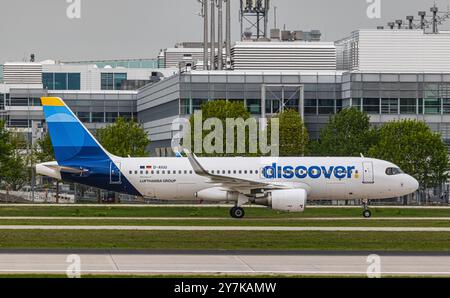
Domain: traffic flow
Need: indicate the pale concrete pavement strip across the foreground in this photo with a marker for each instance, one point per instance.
(228, 262)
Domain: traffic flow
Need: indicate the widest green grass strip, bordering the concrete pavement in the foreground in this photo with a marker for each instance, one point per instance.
(226, 240)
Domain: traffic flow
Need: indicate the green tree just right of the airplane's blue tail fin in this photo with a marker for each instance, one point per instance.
(124, 138)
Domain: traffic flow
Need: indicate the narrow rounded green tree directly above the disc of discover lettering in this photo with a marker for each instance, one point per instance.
(293, 138)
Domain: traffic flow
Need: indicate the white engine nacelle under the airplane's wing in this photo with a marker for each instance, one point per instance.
(291, 200)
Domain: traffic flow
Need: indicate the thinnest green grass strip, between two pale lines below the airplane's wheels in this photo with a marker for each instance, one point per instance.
(231, 222)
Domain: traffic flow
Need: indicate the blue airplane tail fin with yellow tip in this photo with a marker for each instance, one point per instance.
(72, 142)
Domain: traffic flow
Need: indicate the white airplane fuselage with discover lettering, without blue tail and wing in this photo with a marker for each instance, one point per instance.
(333, 178)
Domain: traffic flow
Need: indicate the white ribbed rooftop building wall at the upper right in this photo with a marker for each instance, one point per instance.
(396, 51)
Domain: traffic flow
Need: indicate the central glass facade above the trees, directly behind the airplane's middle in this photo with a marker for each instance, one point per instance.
(322, 95)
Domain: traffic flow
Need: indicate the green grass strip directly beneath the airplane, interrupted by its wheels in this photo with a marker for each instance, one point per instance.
(118, 211)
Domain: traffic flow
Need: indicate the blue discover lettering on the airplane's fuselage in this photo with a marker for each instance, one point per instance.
(314, 172)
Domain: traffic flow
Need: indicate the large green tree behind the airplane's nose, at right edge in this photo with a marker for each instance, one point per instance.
(411, 145)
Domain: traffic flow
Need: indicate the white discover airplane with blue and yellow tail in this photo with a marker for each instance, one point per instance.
(281, 183)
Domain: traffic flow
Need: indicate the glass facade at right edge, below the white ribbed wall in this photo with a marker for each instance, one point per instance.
(399, 94)
